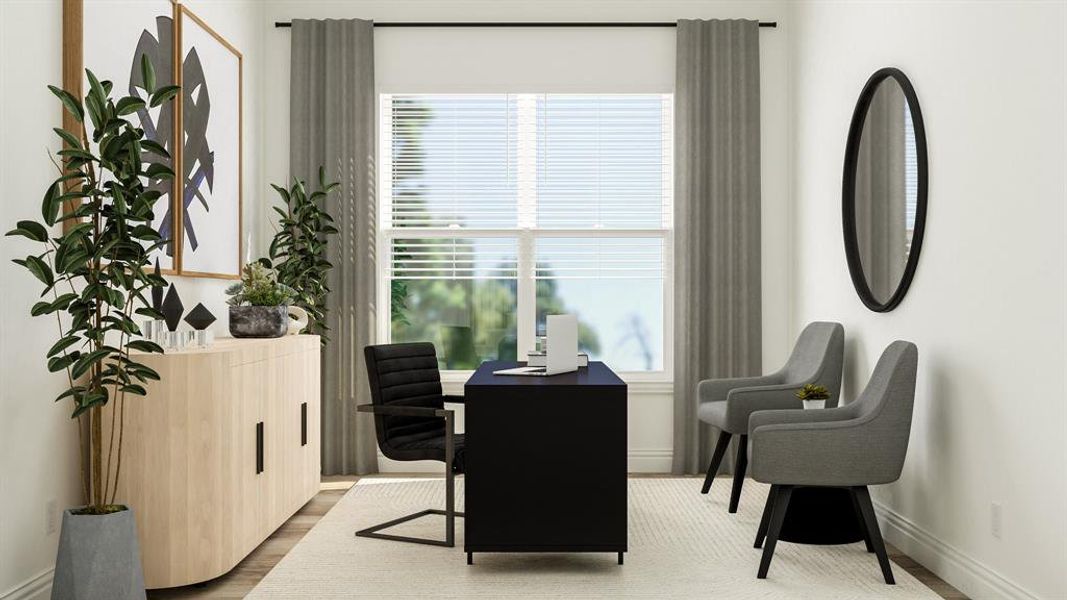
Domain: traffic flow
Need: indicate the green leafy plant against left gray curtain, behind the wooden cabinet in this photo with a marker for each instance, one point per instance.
(298, 252)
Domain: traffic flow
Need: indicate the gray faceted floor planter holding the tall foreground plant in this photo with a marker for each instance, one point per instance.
(99, 559)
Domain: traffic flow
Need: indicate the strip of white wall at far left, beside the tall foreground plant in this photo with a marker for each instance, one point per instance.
(38, 440)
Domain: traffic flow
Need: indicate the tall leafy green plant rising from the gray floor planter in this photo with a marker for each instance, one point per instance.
(95, 274)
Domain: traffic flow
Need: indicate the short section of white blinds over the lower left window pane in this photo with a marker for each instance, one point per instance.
(454, 259)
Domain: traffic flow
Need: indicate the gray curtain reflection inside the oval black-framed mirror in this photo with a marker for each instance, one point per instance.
(881, 229)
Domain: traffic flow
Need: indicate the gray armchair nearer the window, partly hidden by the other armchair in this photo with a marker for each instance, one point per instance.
(727, 404)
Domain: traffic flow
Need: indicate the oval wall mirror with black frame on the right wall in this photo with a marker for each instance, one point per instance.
(884, 197)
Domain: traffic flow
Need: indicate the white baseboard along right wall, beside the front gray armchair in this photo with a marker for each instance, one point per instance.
(964, 573)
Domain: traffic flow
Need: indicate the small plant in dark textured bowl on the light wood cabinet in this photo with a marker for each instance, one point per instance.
(260, 305)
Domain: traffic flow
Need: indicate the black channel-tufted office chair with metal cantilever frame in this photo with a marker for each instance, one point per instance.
(412, 424)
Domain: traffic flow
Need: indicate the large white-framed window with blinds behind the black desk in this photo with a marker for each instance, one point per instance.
(502, 209)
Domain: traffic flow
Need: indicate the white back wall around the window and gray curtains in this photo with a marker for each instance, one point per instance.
(561, 60)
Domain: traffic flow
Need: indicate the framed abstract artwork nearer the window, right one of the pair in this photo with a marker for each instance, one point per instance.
(210, 165)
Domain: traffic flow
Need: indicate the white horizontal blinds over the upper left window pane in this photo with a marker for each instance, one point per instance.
(454, 162)
